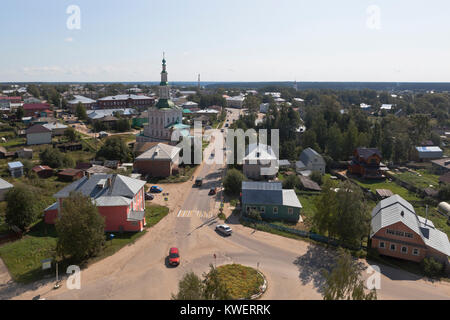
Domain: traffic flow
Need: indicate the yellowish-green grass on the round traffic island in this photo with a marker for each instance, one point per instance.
(241, 281)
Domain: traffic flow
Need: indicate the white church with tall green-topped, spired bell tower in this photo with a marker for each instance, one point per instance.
(165, 117)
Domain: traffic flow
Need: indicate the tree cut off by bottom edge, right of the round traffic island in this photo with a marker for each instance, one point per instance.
(344, 283)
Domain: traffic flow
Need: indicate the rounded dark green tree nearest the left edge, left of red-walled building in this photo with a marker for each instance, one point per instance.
(21, 207)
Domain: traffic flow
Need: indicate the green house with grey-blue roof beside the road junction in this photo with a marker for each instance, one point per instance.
(272, 202)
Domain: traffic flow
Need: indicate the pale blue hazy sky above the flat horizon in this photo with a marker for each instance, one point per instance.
(233, 40)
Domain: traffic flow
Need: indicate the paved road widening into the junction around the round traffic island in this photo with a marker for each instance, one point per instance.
(292, 267)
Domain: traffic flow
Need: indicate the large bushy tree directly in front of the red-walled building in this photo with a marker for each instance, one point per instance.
(80, 228)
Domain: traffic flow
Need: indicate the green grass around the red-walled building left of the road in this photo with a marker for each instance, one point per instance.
(23, 257)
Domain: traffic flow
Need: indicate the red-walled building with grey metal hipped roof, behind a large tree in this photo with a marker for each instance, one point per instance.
(119, 199)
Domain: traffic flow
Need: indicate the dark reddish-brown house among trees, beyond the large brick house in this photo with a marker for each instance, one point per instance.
(366, 163)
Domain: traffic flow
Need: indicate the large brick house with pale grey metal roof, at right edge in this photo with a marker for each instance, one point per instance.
(397, 231)
